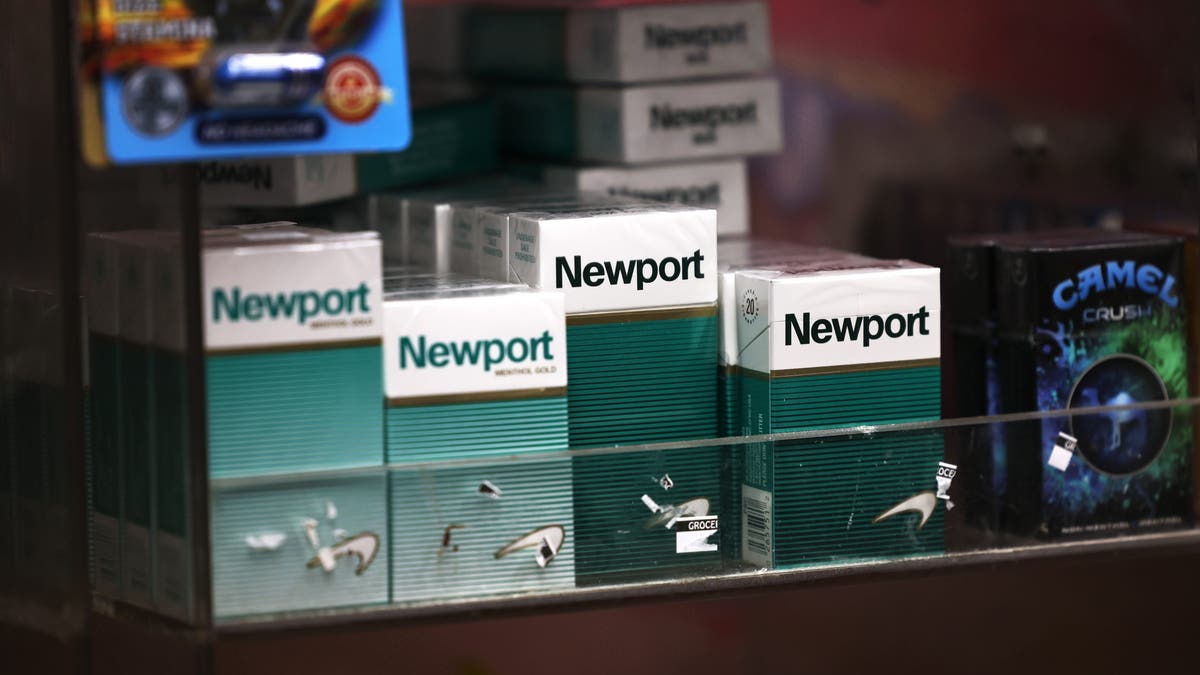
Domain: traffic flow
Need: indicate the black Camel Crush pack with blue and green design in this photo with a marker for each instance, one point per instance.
(1095, 320)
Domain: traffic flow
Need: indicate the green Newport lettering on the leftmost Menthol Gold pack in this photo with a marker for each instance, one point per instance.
(301, 306)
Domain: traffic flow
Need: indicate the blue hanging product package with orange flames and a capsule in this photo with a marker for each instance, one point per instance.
(170, 81)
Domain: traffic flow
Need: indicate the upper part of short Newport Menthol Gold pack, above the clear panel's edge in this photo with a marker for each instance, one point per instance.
(473, 368)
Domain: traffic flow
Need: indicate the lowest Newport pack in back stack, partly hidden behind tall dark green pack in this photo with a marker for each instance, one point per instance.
(719, 186)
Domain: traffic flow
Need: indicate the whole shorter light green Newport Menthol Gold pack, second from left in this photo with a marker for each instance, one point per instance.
(477, 369)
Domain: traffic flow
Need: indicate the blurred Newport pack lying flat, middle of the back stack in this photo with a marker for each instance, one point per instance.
(641, 124)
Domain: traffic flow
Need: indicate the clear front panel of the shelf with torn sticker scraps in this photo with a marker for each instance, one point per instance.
(637, 522)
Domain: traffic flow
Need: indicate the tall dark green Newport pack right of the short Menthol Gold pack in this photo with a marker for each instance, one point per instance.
(640, 288)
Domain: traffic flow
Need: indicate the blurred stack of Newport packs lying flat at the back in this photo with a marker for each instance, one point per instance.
(657, 101)
